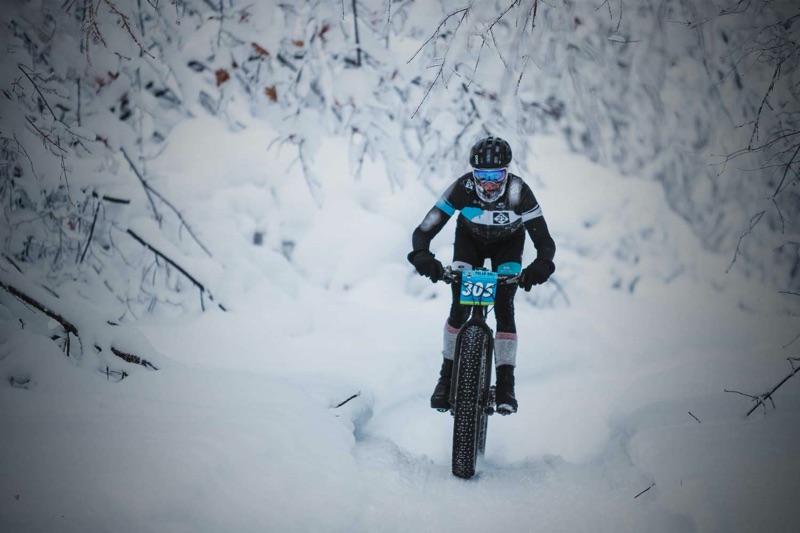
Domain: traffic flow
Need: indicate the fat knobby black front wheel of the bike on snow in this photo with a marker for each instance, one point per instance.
(470, 415)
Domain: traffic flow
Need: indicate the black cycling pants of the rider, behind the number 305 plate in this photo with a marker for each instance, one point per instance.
(470, 251)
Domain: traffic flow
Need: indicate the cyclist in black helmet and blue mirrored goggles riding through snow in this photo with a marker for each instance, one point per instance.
(496, 209)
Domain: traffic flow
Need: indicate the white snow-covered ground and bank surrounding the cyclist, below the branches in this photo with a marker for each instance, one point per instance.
(621, 377)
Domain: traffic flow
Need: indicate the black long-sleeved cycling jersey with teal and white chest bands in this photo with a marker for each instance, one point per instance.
(488, 223)
